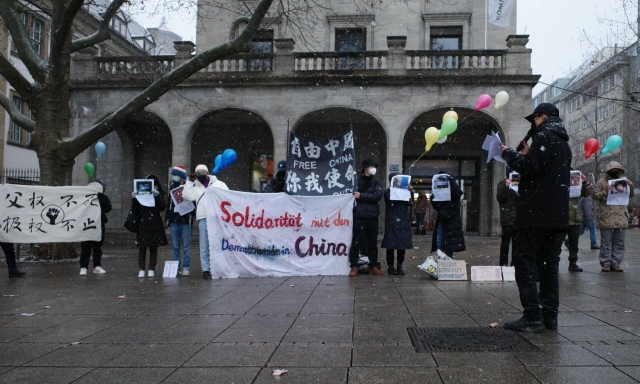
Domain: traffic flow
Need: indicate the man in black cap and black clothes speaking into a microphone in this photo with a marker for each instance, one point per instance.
(542, 211)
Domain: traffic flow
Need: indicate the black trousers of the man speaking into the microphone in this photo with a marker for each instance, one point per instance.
(534, 250)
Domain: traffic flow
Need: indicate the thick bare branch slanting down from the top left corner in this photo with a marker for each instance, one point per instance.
(35, 64)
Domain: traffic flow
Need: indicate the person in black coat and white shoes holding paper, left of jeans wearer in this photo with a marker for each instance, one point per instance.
(150, 229)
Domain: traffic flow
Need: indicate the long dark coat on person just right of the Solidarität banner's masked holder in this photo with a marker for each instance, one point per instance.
(397, 223)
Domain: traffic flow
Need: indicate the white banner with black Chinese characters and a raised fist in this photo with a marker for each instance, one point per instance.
(35, 214)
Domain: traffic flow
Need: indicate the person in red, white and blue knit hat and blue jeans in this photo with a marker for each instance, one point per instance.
(179, 224)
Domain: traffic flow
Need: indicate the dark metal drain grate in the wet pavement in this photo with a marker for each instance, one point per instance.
(468, 339)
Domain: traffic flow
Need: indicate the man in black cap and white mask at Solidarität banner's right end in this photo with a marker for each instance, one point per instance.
(365, 220)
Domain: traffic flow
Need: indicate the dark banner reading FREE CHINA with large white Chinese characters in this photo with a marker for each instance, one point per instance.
(321, 167)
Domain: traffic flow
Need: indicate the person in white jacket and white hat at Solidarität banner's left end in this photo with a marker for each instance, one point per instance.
(194, 191)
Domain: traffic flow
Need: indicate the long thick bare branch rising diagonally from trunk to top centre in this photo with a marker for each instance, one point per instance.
(71, 147)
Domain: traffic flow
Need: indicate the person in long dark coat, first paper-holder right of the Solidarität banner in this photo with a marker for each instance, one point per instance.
(397, 229)
